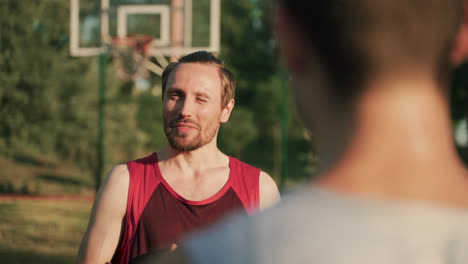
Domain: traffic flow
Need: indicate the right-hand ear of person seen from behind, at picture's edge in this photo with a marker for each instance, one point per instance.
(460, 51)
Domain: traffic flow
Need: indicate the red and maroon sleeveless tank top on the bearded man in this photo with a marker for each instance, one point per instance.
(157, 216)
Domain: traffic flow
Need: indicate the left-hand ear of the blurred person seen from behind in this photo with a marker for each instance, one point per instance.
(293, 47)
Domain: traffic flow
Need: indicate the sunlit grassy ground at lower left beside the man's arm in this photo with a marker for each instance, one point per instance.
(41, 230)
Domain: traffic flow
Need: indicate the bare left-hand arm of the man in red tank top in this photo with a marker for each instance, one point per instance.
(105, 224)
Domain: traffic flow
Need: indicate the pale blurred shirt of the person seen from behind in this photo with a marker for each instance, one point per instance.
(319, 226)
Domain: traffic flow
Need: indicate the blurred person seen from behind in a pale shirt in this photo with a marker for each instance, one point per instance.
(372, 83)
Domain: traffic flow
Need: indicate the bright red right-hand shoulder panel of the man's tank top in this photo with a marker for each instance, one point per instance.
(245, 182)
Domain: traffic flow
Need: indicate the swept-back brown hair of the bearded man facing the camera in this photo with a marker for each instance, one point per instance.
(228, 81)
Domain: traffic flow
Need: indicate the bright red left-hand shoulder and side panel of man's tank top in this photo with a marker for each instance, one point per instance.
(143, 182)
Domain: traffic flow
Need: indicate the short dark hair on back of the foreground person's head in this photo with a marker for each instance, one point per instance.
(355, 39)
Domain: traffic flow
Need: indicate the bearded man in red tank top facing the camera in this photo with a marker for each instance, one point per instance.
(148, 204)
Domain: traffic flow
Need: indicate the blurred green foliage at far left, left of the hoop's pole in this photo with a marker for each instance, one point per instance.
(42, 111)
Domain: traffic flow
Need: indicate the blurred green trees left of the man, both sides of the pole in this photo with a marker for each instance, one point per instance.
(48, 99)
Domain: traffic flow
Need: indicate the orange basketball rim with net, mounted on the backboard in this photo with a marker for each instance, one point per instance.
(131, 54)
